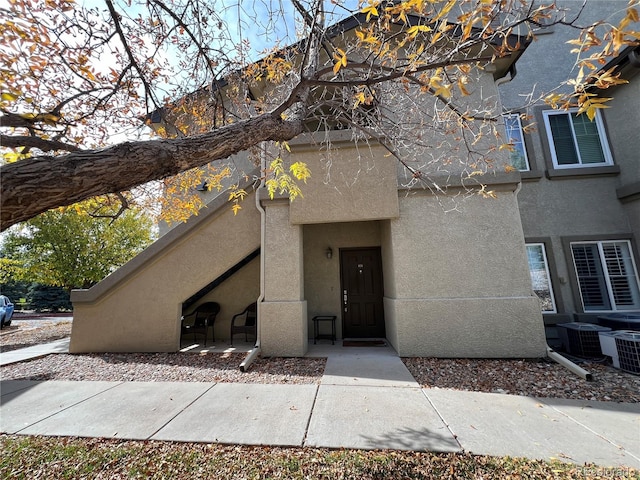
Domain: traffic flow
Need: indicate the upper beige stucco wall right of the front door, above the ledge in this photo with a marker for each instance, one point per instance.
(476, 251)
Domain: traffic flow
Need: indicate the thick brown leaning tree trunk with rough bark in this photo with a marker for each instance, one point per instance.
(38, 184)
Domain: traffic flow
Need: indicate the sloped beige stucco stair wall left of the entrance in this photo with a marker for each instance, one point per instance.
(138, 308)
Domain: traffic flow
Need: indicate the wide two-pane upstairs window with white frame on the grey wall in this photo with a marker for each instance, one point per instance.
(576, 141)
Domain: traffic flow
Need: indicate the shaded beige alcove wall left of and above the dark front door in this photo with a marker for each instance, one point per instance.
(322, 275)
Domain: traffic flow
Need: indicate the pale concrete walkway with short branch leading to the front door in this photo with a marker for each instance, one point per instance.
(366, 399)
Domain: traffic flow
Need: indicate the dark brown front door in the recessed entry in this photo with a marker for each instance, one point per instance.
(361, 279)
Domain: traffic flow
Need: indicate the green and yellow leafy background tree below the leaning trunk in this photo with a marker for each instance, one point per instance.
(69, 248)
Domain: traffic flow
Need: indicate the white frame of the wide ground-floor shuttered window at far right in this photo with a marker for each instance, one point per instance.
(574, 274)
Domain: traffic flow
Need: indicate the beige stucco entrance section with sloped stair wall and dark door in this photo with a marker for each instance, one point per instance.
(432, 282)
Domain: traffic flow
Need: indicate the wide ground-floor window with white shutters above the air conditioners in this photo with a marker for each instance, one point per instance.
(607, 275)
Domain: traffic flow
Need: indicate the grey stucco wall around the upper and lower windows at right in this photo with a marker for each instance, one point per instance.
(584, 206)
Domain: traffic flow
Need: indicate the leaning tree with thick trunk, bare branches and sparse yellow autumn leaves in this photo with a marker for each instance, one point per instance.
(218, 77)
